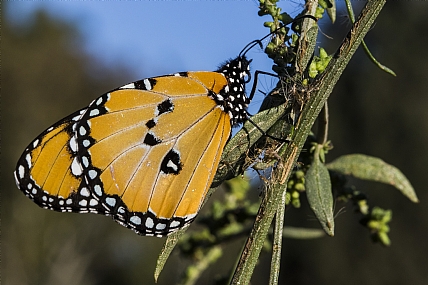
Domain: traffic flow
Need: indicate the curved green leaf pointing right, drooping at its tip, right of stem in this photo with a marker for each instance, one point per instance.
(374, 169)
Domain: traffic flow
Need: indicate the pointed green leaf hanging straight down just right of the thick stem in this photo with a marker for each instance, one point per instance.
(319, 193)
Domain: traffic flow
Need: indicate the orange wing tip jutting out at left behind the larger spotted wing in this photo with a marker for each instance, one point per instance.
(48, 170)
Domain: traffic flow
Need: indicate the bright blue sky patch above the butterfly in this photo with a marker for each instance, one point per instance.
(162, 37)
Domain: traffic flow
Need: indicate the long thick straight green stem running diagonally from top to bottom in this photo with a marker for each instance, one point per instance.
(324, 86)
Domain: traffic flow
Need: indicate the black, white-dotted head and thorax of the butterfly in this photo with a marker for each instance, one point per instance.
(232, 99)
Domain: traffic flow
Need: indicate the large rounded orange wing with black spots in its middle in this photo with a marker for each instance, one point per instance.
(150, 149)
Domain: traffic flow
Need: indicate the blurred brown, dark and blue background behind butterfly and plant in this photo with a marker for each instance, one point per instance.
(58, 56)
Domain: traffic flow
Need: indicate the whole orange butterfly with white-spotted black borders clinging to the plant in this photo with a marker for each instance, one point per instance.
(144, 153)
